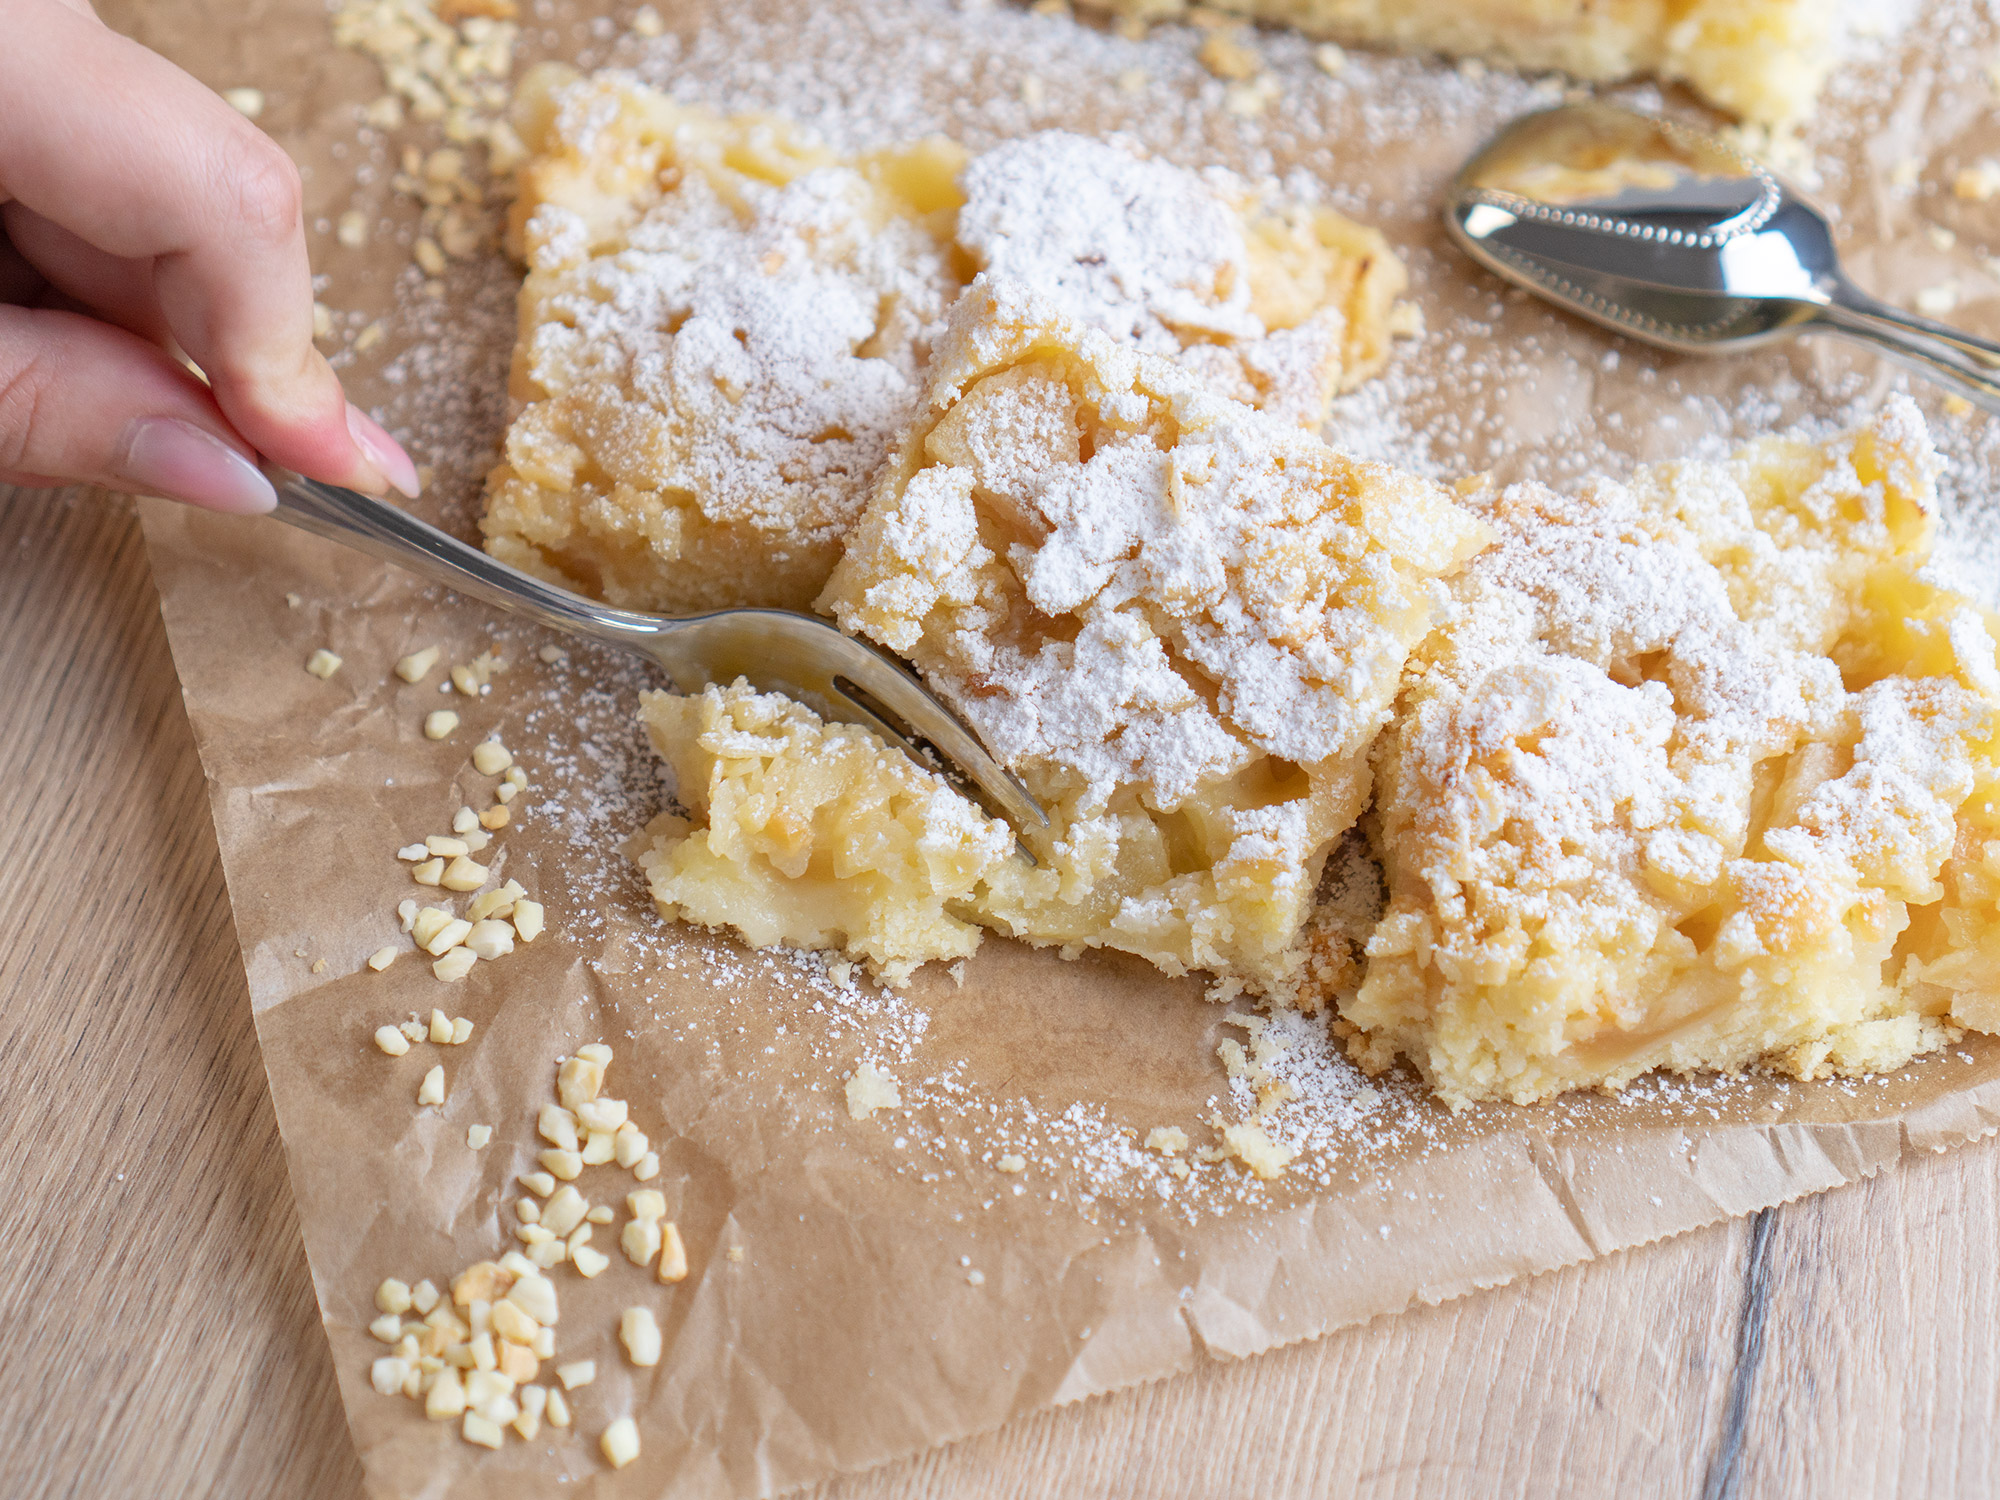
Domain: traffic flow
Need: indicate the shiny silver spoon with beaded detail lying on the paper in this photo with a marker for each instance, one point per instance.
(1677, 239)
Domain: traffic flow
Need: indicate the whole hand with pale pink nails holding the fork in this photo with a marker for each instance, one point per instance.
(143, 217)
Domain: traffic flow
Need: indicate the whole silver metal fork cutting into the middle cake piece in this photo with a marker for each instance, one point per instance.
(779, 651)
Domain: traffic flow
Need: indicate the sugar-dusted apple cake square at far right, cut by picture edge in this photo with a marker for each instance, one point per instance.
(1701, 773)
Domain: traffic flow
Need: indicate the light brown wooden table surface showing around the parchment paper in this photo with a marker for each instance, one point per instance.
(161, 1335)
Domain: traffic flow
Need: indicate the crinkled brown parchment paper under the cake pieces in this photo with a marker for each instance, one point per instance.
(831, 1319)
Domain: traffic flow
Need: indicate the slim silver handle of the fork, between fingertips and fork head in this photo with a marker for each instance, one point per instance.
(397, 537)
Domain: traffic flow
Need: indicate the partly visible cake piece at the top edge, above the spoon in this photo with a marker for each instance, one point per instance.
(1759, 59)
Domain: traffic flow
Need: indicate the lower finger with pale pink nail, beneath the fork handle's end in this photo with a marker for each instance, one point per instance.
(85, 401)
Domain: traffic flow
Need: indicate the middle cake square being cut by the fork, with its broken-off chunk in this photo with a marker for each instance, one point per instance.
(1179, 619)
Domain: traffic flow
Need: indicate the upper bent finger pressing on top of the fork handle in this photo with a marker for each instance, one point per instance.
(129, 155)
